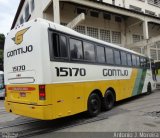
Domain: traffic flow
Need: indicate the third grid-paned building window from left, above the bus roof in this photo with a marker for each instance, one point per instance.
(105, 35)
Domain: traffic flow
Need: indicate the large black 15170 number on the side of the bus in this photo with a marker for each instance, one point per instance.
(64, 71)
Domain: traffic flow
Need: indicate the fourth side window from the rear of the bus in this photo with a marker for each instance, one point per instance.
(100, 54)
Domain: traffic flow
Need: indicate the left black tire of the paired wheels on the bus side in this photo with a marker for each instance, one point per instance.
(94, 105)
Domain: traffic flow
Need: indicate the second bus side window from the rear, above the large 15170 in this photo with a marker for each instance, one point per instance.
(76, 49)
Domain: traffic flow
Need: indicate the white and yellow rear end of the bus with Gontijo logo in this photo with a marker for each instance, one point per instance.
(23, 70)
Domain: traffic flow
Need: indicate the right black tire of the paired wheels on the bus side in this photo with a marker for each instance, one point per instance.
(108, 100)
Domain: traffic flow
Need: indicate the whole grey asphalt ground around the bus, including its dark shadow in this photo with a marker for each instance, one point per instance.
(138, 114)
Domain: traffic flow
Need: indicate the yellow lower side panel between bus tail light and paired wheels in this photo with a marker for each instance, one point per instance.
(67, 99)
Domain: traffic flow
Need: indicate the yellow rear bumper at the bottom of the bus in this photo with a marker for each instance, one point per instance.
(33, 111)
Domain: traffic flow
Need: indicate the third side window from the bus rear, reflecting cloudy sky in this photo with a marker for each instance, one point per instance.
(89, 51)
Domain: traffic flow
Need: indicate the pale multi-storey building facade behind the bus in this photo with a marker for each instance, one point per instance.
(134, 24)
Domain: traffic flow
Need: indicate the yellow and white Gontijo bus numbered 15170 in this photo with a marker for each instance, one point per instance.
(52, 71)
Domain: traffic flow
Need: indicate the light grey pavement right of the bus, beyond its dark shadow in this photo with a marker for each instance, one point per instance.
(139, 114)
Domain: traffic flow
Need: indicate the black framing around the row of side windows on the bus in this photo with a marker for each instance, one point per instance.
(60, 59)
